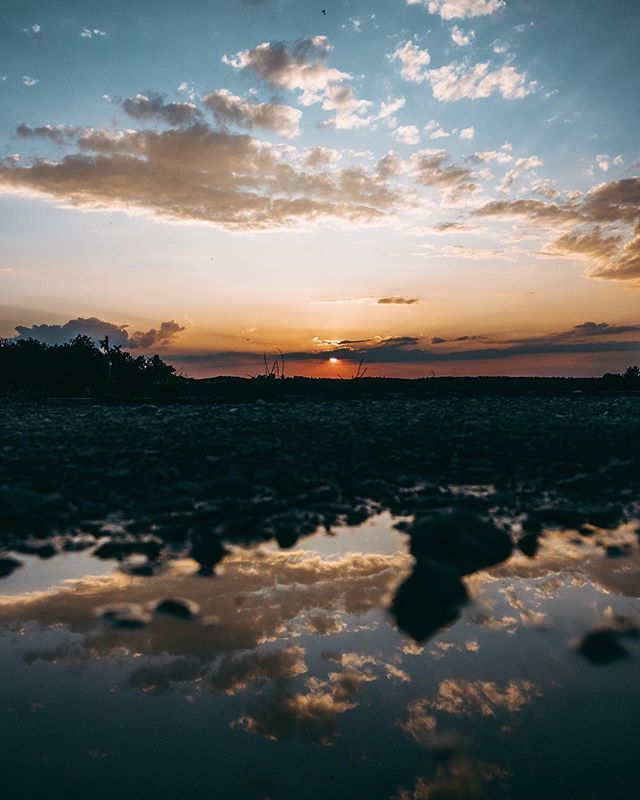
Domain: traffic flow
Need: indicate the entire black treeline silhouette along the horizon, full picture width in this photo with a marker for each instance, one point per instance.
(30, 369)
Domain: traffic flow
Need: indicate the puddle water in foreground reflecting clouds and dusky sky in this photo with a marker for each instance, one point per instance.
(293, 679)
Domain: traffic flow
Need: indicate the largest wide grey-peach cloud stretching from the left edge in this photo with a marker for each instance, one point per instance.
(200, 174)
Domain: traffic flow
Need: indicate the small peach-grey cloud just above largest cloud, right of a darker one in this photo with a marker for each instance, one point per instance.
(228, 109)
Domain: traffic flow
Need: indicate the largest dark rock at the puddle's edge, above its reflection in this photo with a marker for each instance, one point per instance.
(459, 539)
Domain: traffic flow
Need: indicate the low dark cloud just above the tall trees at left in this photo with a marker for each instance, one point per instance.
(97, 329)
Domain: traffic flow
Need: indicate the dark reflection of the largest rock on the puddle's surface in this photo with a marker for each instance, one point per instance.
(428, 600)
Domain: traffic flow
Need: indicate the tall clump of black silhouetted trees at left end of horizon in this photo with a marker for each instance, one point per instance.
(80, 368)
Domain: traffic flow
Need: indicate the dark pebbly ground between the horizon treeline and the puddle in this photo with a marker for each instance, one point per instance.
(175, 476)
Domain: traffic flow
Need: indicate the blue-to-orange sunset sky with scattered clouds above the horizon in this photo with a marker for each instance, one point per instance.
(444, 187)
